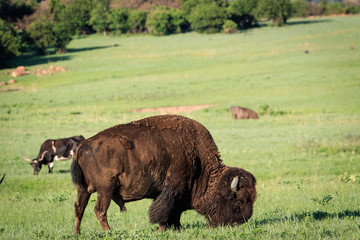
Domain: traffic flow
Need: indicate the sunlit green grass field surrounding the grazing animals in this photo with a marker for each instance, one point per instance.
(304, 150)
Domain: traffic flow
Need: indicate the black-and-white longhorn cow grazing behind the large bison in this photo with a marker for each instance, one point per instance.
(50, 150)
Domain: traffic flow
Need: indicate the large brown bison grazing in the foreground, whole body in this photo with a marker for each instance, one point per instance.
(171, 159)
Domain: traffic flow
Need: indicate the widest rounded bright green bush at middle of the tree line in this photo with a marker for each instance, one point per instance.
(207, 17)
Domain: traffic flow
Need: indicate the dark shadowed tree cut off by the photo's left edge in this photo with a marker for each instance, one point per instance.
(10, 43)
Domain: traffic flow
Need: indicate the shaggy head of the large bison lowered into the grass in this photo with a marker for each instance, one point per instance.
(234, 198)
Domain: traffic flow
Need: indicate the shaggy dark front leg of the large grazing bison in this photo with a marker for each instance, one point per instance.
(164, 212)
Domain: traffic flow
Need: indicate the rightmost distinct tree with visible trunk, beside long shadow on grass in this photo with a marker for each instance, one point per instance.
(278, 11)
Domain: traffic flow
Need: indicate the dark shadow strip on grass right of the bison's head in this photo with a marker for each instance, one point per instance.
(316, 215)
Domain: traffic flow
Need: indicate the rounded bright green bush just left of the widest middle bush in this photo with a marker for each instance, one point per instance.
(160, 22)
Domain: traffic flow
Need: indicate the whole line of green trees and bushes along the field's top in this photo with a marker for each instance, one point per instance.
(41, 25)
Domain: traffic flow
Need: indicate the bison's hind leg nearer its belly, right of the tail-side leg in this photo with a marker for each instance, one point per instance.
(101, 207)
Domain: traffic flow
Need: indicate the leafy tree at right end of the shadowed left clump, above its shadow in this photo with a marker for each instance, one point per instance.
(42, 34)
